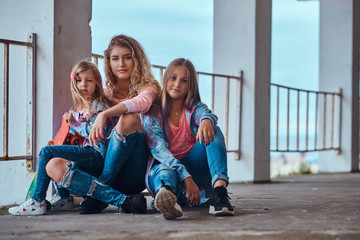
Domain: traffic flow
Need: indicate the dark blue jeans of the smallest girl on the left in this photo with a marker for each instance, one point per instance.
(86, 158)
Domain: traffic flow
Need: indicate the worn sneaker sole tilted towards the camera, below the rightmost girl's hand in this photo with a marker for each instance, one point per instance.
(166, 203)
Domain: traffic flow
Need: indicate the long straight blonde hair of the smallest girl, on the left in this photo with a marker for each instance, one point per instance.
(78, 101)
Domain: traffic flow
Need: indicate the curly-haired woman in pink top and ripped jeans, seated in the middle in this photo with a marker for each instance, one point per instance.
(131, 85)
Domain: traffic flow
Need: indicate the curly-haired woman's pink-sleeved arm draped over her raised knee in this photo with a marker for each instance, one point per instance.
(138, 104)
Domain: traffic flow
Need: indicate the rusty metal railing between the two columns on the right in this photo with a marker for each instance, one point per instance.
(325, 120)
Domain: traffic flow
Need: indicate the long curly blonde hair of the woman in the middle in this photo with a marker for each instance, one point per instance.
(141, 76)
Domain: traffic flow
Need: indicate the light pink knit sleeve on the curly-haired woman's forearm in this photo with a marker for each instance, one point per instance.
(142, 102)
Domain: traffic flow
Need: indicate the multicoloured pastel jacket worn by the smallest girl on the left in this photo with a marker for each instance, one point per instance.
(84, 121)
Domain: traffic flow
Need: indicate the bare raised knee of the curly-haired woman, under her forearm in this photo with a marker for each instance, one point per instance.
(128, 123)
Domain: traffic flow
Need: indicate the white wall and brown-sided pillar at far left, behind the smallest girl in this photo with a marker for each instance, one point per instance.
(57, 25)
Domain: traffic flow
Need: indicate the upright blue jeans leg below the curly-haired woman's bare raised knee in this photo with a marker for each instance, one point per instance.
(126, 162)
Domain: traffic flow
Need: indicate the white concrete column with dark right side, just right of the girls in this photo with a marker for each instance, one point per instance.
(242, 41)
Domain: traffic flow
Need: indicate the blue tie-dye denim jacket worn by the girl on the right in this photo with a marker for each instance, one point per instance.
(194, 113)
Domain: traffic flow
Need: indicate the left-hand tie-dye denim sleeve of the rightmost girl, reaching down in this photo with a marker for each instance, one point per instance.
(159, 147)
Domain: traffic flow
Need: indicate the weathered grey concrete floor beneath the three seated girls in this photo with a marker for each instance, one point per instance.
(297, 207)
